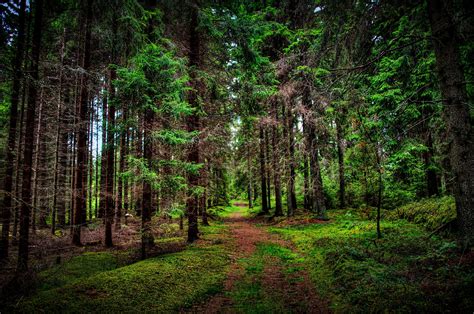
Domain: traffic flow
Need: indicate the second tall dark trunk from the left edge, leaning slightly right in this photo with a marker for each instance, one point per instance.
(29, 137)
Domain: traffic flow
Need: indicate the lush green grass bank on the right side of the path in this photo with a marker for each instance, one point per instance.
(404, 271)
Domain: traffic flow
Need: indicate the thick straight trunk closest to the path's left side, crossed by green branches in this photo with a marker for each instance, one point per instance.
(193, 123)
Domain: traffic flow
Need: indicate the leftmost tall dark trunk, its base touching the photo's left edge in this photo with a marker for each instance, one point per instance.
(10, 157)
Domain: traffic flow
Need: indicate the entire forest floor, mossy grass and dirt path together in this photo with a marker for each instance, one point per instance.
(244, 263)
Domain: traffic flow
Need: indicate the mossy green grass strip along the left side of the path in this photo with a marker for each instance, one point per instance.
(95, 282)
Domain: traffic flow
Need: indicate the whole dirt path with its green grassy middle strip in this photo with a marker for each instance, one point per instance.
(266, 275)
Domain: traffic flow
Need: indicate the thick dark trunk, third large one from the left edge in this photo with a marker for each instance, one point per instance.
(80, 189)
